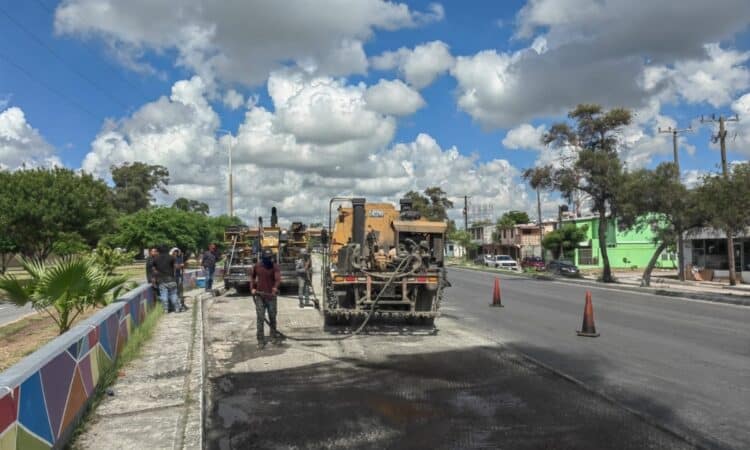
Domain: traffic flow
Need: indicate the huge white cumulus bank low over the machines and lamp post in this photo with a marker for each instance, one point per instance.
(278, 162)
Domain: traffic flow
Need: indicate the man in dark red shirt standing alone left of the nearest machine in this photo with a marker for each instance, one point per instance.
(265, 279)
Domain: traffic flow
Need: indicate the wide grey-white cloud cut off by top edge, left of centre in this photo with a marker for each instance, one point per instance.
(239, 42)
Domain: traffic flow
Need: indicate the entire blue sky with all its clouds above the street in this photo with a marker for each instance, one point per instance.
(366, 98)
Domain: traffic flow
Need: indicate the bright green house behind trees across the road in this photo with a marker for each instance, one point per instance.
(626, 249)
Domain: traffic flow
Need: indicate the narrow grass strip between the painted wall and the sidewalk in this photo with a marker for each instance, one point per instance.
(132, 350)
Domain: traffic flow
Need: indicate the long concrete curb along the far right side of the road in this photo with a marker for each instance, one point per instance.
(731, 299)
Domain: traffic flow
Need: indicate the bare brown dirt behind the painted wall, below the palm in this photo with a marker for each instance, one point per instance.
(26, 335)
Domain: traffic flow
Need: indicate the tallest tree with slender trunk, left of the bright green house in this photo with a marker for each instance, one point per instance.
(597, 170)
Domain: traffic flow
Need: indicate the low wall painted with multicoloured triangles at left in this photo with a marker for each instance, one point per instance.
(43, 397)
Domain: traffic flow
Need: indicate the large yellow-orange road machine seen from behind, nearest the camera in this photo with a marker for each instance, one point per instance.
(382, 262)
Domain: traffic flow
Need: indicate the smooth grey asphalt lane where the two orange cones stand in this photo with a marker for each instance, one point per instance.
(684, 363)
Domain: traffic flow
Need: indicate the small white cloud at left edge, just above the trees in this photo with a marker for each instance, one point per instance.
(21, 145)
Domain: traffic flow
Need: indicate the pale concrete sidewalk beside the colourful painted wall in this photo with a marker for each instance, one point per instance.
(157, 397)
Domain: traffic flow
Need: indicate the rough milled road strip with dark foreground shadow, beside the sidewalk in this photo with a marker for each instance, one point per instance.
(396, 386)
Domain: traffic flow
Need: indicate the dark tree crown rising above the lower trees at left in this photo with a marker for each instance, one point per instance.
(135, 183)
